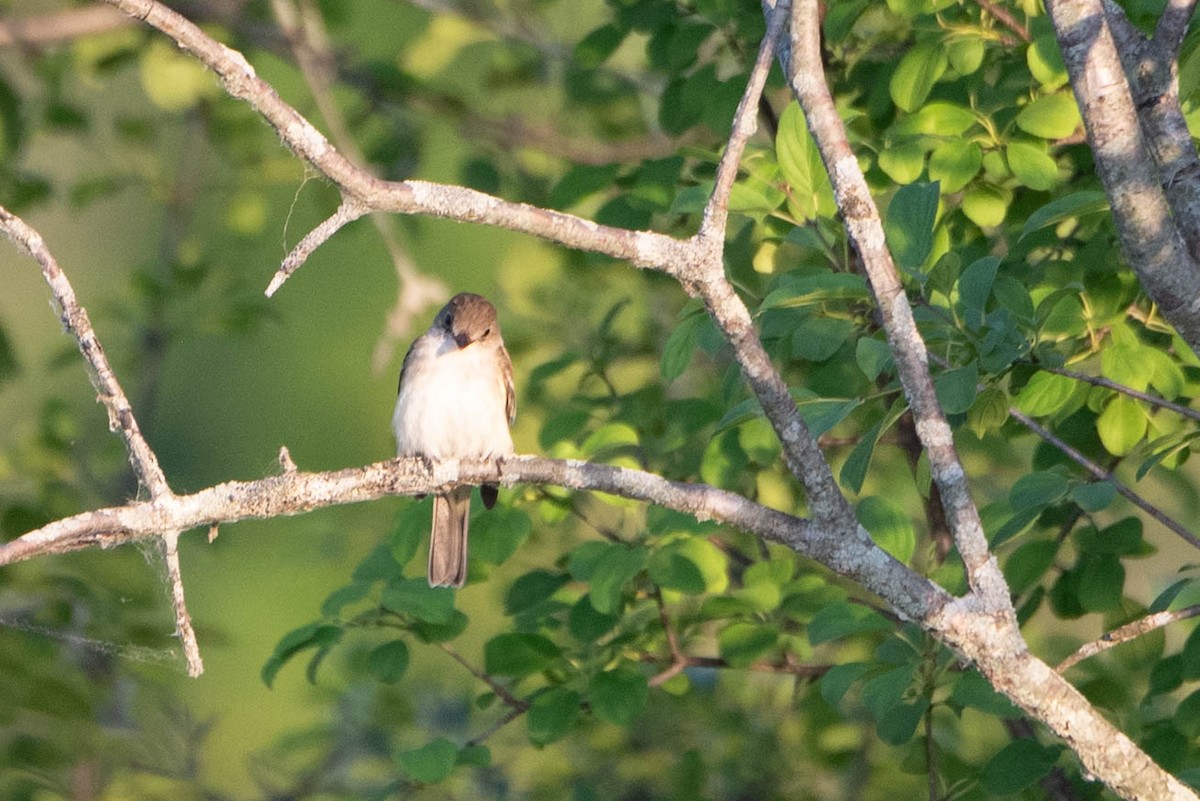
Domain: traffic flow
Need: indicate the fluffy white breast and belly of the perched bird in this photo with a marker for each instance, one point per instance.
(452, 402)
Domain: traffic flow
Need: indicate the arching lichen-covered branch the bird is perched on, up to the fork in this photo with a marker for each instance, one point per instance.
(295, 493)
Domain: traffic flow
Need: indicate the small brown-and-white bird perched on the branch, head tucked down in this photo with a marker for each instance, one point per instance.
(457, 400)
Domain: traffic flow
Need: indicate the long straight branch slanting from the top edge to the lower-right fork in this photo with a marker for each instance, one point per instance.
(866, 230)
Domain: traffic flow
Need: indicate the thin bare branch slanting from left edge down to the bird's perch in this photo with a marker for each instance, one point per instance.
(76, 322)
